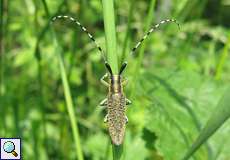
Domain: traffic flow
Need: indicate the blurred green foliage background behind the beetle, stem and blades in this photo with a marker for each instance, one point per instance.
(174, 87)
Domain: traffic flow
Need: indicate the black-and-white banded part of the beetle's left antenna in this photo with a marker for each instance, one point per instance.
(82, 28)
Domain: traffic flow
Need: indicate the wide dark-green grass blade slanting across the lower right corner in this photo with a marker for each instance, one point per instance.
(217, 119)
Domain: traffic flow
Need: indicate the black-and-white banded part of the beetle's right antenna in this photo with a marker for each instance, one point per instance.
(153, 29)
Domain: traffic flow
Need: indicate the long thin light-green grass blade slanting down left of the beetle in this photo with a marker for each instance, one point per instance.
(68, 98)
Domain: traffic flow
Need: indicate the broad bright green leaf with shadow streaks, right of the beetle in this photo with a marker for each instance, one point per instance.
(180, 104)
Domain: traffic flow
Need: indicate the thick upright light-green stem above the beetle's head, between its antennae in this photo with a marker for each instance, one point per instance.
(110, 34)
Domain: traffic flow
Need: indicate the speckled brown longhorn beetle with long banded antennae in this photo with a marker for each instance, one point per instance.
(116, 101)
